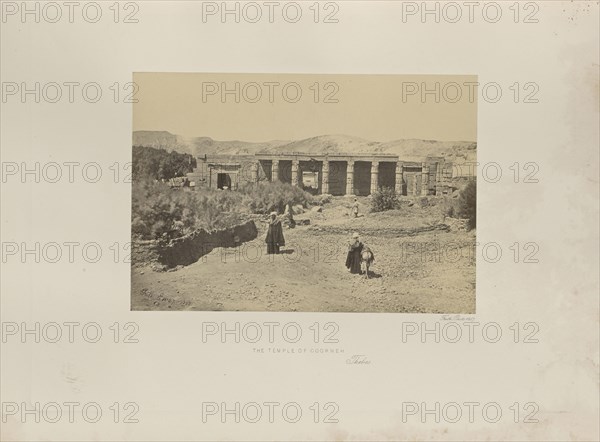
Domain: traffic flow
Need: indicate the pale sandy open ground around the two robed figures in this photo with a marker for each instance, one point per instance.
(430, 272)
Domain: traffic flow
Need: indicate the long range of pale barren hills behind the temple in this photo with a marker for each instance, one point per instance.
(408, 150)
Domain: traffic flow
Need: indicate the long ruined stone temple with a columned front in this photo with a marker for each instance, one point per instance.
(335, 174)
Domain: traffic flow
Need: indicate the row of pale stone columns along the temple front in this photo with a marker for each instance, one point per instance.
(350, 176)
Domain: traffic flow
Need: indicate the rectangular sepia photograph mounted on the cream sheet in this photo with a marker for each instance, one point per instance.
(304, 193)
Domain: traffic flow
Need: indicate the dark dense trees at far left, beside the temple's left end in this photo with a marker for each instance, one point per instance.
(158, 164)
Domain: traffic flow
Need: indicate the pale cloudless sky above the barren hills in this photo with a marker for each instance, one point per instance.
(369, 106)
